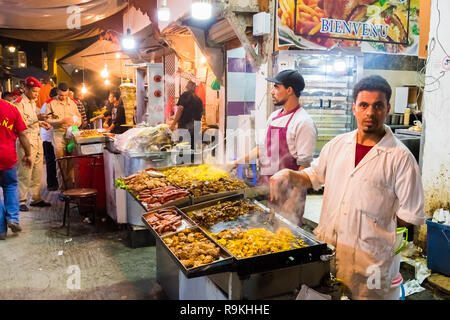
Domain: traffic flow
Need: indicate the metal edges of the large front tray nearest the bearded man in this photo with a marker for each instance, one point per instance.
(269, 261)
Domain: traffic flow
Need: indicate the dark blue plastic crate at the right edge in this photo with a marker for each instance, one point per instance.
(438, 247)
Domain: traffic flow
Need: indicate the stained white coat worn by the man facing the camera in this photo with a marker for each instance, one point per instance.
(361, 205)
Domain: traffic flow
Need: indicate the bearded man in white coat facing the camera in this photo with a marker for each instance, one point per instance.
(372, 186)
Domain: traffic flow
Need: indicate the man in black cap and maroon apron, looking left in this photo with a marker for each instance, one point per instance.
(290, 141)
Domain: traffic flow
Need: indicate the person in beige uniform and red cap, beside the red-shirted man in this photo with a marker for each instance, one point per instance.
(30, 178)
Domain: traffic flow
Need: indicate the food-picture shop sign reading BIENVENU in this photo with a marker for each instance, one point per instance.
(389, 26)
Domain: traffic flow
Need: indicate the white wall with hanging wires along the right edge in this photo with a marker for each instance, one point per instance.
(436, 156)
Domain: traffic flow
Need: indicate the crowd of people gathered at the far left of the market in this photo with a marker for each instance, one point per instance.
(34, 121)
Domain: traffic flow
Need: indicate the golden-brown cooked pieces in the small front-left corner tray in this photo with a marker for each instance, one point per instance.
(192, 248)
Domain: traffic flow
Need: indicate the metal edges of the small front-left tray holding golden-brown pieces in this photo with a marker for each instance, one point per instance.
(224, 263)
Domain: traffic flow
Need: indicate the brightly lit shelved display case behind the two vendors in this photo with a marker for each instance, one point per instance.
(329, 80)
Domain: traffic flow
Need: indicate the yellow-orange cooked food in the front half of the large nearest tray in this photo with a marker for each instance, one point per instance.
(257, 241)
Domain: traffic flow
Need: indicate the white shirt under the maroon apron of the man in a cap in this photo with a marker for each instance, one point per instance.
(301, 134)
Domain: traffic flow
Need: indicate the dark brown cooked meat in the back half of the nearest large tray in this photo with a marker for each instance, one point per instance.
(224, 211)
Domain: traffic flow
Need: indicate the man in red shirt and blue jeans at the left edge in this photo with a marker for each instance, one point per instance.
(12, 127)
